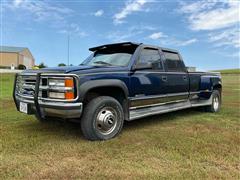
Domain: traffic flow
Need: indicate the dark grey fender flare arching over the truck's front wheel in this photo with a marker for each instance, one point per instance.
(85, 87)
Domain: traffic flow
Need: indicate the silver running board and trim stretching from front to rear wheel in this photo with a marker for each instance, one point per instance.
(149, 111)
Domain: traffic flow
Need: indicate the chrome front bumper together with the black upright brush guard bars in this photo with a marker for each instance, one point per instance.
(43, 108)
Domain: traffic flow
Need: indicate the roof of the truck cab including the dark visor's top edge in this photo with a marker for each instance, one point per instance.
(127, 44)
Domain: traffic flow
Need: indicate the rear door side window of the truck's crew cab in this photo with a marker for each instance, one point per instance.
(173, 62)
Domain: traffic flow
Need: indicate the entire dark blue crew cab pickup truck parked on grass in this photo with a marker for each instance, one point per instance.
(116, 83)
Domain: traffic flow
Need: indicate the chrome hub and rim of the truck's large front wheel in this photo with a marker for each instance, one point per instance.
(106, 120)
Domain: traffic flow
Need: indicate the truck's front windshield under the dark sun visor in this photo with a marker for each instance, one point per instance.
(110, 57)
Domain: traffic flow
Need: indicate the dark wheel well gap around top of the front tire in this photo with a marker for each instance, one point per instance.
(114, 92)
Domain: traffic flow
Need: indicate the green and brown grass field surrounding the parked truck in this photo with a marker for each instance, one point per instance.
(188, 144)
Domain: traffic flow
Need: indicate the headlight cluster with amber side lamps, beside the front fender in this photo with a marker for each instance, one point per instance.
(61, 88)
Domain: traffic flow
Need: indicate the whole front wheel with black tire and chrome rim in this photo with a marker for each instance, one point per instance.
(102, 118)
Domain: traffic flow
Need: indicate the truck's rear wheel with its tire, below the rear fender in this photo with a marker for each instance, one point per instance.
(216, 102)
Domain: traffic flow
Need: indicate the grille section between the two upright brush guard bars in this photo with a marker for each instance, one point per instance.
(25, 85)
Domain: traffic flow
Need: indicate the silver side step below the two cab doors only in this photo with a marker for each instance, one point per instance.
(143, 112)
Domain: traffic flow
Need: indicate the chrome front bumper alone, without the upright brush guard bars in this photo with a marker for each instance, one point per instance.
(53, 109)
